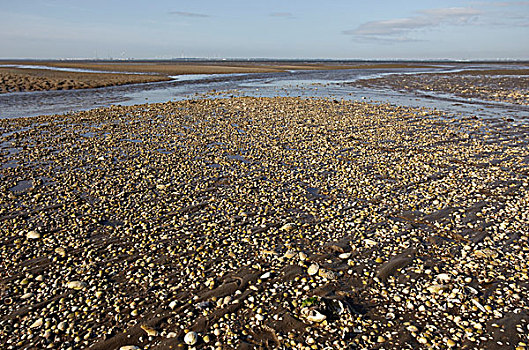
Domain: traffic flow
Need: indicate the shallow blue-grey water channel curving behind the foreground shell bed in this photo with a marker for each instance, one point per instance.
(324, 84)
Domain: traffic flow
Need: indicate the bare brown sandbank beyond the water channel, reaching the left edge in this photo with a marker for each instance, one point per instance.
(18, 79)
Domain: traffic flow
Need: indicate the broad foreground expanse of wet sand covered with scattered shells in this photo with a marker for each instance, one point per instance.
(249, 223)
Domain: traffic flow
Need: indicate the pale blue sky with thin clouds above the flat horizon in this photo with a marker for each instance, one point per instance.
(311, 29)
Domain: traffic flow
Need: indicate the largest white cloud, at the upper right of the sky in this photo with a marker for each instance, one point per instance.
(402, 27)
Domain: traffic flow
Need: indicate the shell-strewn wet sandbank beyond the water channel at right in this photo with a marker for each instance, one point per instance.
(509, 85)
